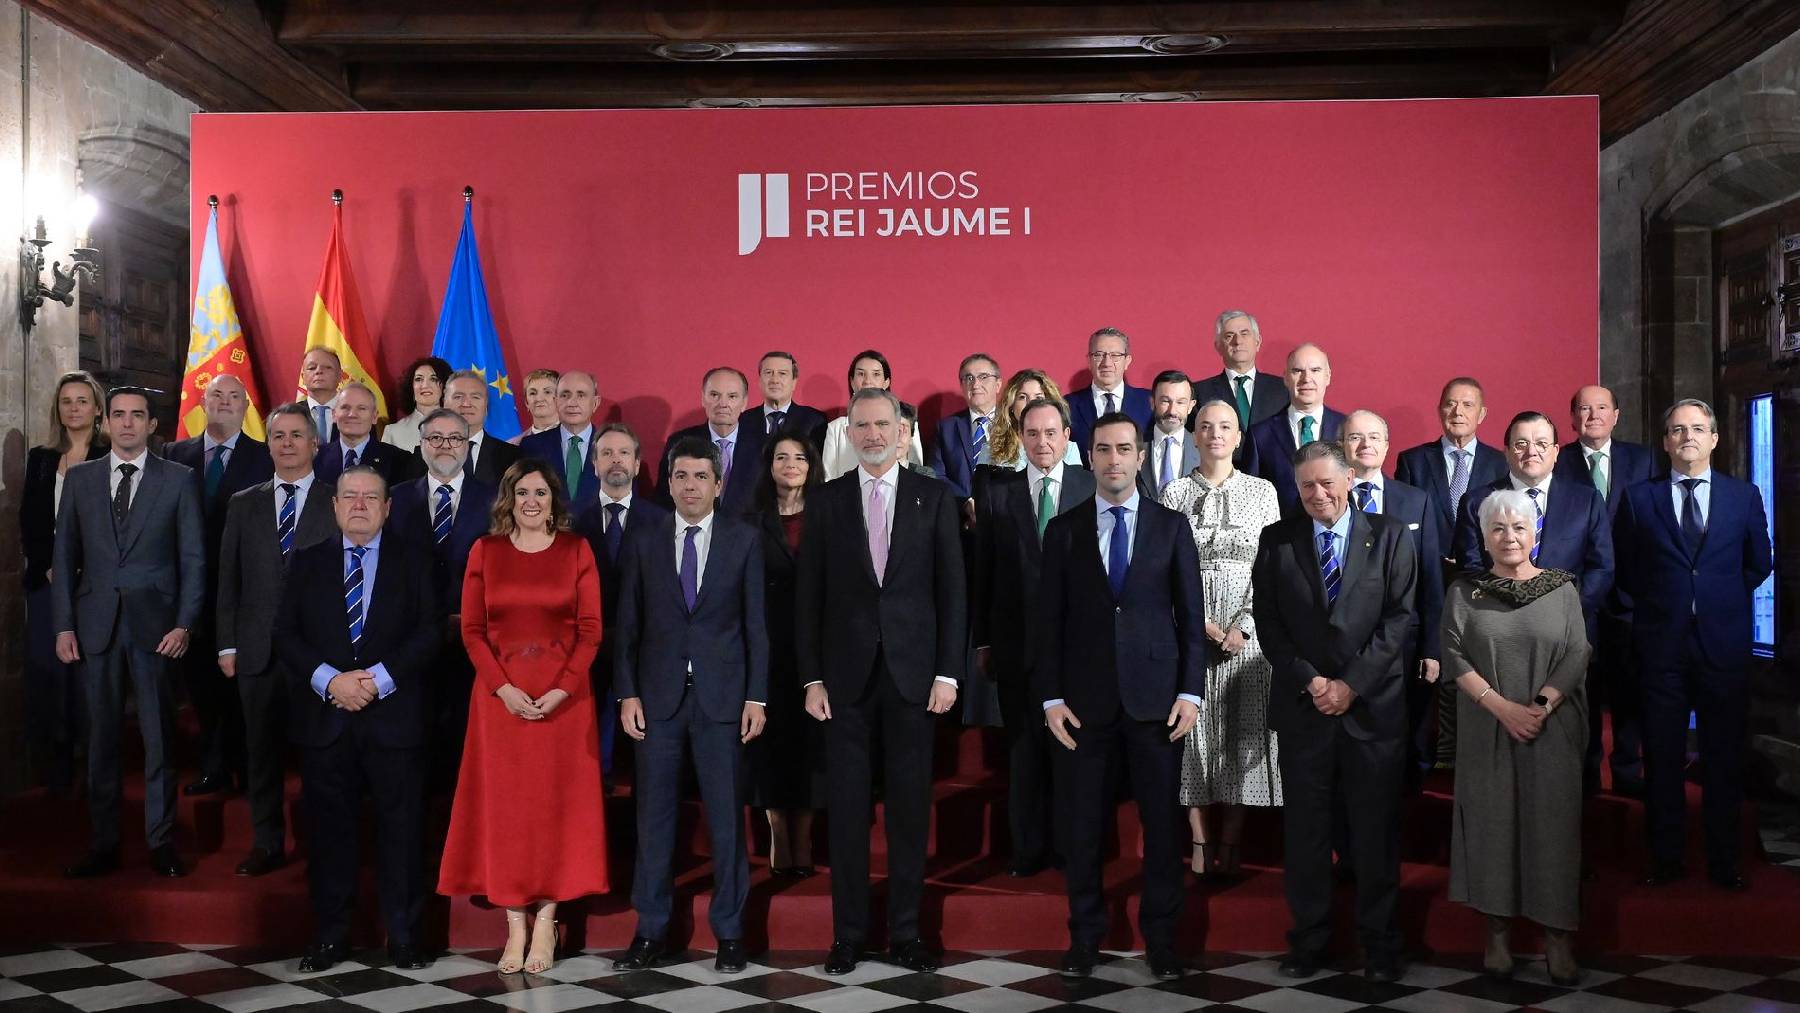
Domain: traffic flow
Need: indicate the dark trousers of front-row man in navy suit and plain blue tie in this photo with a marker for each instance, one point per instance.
(1086, 776)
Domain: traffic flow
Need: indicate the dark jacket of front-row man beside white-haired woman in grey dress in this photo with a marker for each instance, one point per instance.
(1362, 640)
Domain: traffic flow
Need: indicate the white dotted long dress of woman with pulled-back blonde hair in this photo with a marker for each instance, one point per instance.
(1230, 755)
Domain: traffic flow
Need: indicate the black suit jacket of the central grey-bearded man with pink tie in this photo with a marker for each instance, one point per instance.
(917, 618)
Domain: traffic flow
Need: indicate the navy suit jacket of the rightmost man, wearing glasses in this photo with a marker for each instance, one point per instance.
(1673, 587)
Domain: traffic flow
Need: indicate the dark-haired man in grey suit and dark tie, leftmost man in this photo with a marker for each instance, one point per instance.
(130, 582)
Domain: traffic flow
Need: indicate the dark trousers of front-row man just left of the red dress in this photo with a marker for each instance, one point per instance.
(336, 778)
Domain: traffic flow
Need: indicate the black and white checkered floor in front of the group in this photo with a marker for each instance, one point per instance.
(165, 978)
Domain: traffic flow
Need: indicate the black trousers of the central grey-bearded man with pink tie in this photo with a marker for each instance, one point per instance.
(885, 722)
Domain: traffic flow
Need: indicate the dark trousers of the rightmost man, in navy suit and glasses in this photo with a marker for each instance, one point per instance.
(1720, 697)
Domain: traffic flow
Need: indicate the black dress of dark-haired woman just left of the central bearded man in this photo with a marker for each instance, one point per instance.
(787, 760)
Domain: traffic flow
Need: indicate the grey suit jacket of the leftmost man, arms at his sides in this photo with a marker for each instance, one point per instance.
(141, 580)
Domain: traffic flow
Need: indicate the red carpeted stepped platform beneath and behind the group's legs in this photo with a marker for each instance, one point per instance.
(971, 902)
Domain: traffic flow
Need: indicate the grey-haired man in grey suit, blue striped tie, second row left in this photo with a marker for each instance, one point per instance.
(264, 528)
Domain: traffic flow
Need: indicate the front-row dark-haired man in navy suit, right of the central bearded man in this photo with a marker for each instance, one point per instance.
(1120, 676)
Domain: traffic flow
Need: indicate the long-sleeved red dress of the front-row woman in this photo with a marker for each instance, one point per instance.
(530, 821)
